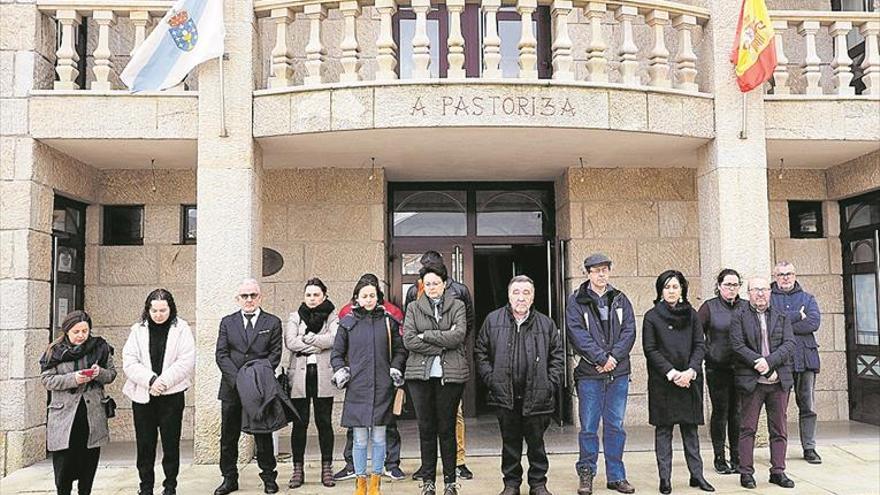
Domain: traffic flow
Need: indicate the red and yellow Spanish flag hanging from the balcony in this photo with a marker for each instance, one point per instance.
(754, 52)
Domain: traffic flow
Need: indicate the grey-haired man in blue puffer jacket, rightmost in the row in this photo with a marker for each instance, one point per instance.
(800, 306)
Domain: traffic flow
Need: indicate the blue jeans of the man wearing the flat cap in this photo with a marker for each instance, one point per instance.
(605, 399)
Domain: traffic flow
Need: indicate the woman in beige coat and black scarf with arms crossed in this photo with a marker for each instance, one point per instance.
(309, 335)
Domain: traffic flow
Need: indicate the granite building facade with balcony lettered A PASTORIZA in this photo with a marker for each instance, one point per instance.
(359, 133)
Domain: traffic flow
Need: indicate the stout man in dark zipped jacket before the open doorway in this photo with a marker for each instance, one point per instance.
(519, 357)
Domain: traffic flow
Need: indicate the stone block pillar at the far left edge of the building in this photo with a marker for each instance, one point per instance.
(26, 203)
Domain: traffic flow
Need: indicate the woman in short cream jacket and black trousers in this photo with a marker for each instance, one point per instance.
(159, 362)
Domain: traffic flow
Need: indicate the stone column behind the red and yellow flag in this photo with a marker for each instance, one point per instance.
(732, 175)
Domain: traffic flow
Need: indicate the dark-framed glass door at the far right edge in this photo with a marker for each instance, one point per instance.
(860, 235)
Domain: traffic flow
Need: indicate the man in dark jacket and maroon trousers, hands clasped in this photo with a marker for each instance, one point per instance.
(763, 342)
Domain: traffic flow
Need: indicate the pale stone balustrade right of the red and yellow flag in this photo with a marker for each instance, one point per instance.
(823, 42)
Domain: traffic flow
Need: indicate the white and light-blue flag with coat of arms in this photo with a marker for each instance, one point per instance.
(189, 34)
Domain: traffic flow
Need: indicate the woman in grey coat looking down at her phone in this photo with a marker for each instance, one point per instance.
(75, 368)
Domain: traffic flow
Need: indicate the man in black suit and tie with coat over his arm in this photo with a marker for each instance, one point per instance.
(245, 335)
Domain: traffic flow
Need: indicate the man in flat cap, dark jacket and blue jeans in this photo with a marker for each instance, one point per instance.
(601, 327)
